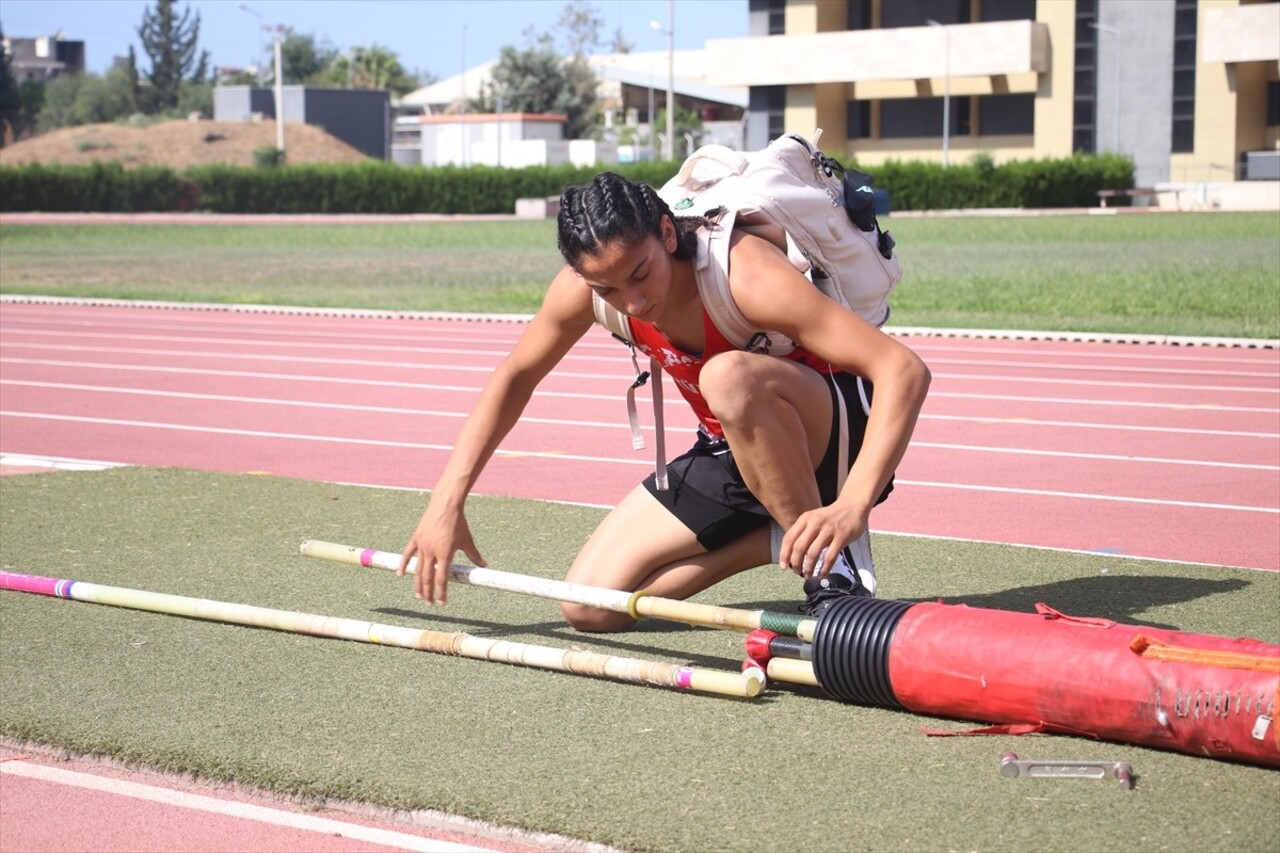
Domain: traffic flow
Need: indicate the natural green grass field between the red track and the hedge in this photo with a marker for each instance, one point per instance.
(1192, 275)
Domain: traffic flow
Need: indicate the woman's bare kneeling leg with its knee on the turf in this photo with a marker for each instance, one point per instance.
(641, 545)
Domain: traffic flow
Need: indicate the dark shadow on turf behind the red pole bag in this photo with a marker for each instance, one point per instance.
(1123, 599)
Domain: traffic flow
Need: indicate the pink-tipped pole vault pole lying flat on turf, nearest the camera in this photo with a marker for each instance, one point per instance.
(605, 667)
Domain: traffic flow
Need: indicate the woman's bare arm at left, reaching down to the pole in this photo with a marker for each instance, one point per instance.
(564, 318)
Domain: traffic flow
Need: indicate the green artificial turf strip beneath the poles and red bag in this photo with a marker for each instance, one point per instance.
(633, 767)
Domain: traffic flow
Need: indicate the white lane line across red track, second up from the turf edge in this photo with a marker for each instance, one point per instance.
(556, 455)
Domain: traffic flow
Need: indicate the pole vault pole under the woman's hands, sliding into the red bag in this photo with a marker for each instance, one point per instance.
(638, 604)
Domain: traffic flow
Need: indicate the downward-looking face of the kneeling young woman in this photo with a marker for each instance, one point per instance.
(633, 276)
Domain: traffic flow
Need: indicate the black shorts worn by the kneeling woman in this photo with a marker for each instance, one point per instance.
(707, 491)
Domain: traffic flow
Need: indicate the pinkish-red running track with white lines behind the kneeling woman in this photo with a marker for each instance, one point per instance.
(1149, 451)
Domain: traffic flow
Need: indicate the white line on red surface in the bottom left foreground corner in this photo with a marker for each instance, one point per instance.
(231, 809)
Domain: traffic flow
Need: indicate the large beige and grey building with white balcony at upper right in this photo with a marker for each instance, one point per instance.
(1188, 90)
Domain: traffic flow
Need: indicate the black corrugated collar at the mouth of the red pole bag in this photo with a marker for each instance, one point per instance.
(851, 650)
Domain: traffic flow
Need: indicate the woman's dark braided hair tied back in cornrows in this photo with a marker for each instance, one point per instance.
(612, 208)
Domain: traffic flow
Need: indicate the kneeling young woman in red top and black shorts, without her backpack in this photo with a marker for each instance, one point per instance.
(764, 482)
